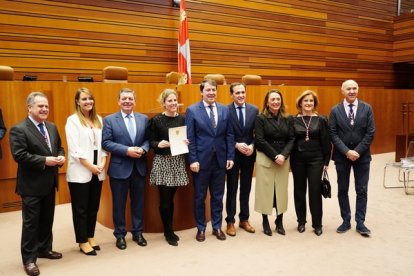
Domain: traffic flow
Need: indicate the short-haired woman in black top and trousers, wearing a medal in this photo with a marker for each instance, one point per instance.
(309, 157)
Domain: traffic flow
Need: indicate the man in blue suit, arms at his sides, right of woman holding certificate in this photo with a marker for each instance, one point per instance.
(211, 152)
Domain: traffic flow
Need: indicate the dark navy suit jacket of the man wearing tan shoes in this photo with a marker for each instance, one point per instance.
(243, 135)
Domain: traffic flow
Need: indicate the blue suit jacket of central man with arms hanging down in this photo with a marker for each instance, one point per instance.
(205, 140)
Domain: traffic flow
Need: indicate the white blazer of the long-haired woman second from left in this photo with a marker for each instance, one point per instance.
(81, 141)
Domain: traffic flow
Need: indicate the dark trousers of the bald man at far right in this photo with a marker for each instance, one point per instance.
(361, 175)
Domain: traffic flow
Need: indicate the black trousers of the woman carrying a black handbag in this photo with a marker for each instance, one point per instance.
(307, 168)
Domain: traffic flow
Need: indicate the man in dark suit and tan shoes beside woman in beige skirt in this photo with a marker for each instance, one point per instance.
(242, 117)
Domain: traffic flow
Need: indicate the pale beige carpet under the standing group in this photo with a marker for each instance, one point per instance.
(389, 250)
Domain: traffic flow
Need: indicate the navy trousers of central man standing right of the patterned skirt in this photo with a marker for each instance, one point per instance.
(211, 179)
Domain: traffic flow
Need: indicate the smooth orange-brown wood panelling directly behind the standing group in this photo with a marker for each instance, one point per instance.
(386, 104)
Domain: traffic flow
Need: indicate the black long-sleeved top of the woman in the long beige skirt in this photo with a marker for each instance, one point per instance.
(274, 135)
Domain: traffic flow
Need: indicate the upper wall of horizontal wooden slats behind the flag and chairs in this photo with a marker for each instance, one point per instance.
(296, 42)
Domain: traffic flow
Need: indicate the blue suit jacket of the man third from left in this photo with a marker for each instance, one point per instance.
(116, 140)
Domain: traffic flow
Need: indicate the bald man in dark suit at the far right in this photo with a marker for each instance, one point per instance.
(352, 131)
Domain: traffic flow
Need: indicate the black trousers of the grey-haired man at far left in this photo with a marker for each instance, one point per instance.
(37, 237)
